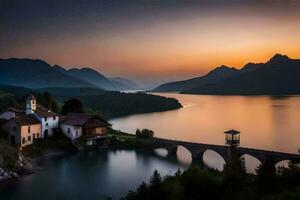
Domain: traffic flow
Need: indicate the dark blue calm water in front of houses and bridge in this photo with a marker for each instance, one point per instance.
(90, 175)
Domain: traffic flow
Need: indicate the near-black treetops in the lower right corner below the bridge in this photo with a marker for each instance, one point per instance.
(233, 183)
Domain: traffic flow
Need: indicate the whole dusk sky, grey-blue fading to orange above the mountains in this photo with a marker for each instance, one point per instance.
(150, 40)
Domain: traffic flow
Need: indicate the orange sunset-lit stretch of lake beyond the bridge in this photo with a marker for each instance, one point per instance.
(265, 122)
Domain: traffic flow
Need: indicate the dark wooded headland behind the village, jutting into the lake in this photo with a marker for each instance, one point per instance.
(105, 103)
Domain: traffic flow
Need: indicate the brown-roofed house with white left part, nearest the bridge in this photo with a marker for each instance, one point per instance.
(92, 127)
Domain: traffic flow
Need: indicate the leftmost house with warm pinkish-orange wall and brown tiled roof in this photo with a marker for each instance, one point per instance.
(23, 129)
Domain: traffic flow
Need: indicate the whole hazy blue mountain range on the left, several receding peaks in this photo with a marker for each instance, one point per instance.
(39, 74)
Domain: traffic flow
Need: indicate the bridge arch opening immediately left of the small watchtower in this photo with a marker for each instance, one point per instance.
(213, 159)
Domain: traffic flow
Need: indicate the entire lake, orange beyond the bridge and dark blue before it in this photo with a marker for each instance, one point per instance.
(265, 122)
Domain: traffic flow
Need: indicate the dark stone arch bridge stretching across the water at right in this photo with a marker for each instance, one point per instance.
(197, 150)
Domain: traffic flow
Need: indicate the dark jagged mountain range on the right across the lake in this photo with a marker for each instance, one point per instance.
(280, 75)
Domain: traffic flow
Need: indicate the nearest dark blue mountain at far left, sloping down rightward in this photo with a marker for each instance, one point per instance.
(35, 74)
